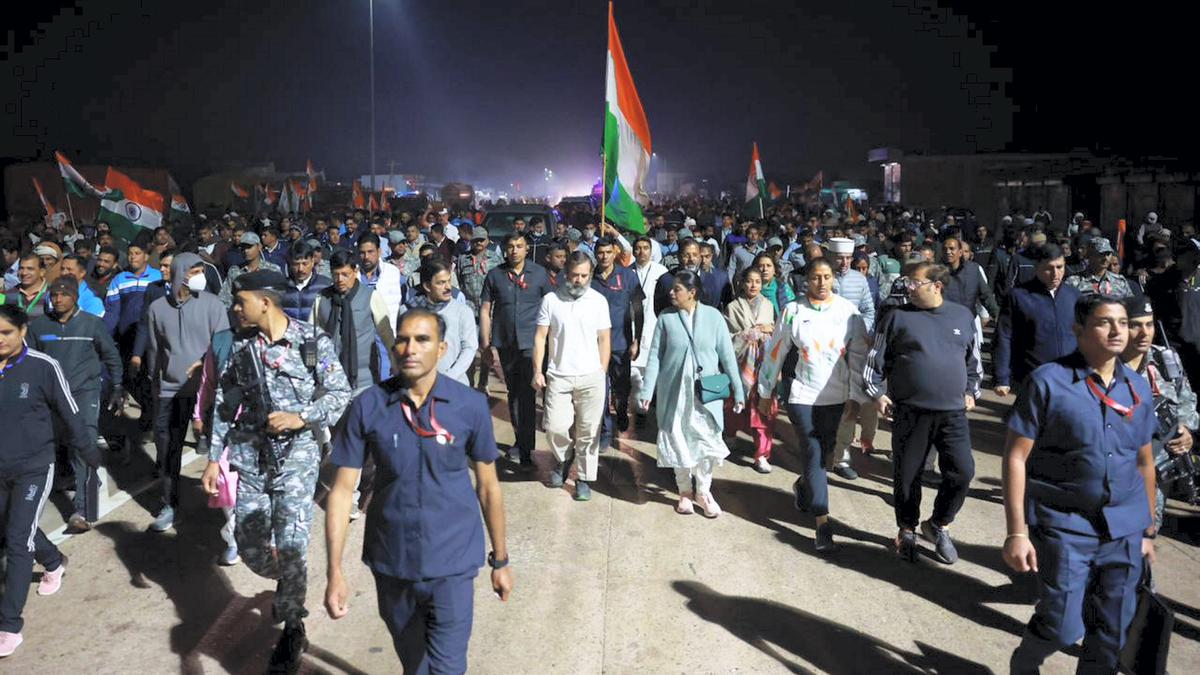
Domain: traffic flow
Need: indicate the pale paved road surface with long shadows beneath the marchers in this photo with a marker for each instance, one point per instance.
(620, 584)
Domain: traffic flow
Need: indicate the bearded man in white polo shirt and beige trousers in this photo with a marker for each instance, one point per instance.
(575, 318)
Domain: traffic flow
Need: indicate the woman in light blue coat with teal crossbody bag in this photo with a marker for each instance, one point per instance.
(687, 336)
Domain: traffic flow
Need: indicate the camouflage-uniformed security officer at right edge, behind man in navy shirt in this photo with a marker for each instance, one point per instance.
(1175, 403)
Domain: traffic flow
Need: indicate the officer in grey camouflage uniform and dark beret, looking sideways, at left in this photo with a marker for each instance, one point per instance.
(281, 383)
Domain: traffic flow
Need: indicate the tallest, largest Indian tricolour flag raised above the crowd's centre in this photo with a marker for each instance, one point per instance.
(627, 141)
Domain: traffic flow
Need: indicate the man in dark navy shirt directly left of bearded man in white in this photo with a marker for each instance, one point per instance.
(508, 319)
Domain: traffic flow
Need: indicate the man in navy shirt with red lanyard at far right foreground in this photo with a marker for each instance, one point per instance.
(1079, 492)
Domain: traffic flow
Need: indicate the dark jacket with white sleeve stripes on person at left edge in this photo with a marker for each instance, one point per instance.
(35, 395)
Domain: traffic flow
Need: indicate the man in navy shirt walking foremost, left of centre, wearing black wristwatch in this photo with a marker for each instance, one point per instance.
(423, 541)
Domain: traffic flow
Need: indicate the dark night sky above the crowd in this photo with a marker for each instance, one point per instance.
(496, 92)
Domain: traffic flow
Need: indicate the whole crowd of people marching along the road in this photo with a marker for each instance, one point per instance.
(369, 341)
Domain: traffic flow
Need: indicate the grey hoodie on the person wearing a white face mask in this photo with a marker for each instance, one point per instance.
(181, 332)
